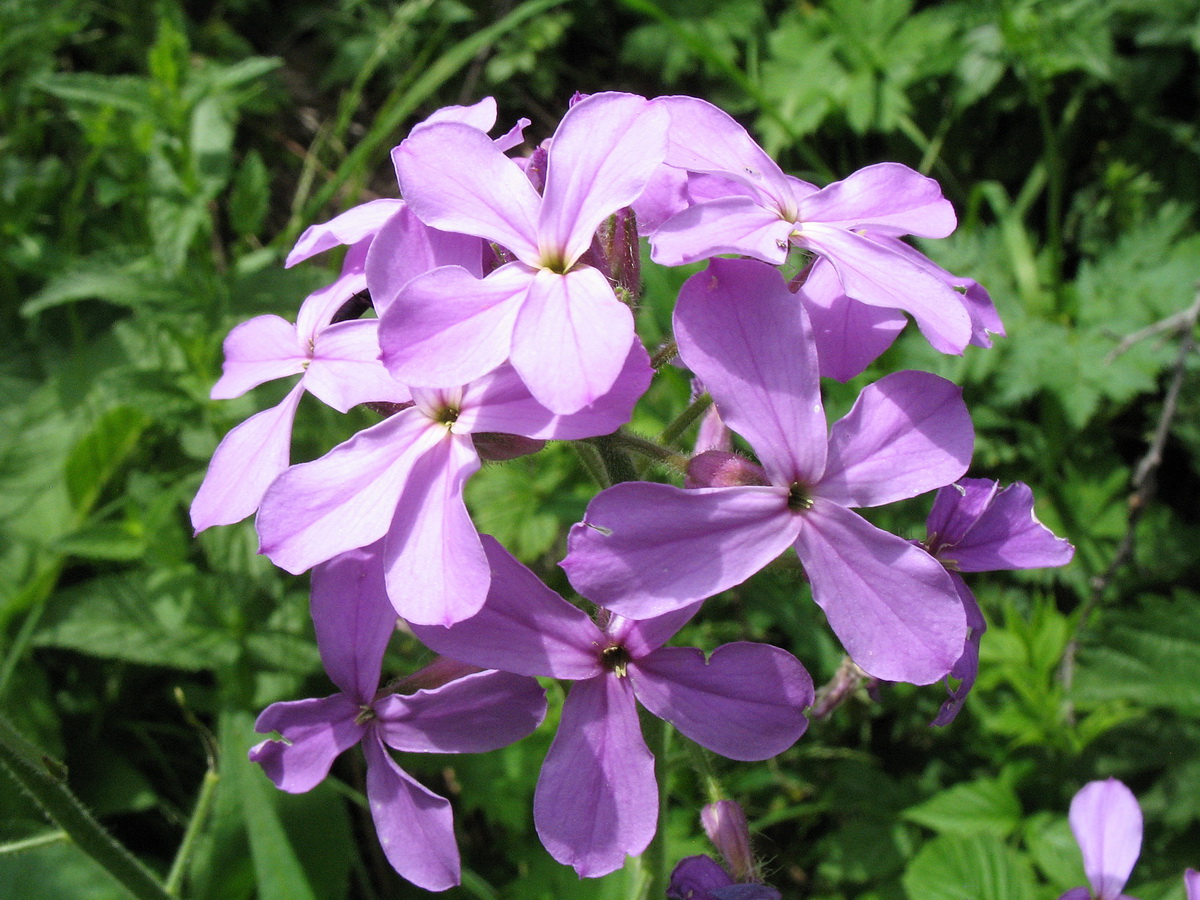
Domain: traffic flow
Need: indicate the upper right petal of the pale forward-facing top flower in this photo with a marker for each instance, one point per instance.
(602, 158)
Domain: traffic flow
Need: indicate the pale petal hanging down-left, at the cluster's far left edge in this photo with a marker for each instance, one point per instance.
(245, 464)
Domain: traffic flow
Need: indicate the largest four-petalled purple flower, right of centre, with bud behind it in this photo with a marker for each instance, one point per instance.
(645, 550)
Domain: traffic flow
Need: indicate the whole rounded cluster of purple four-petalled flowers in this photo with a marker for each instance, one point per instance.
(505, 292)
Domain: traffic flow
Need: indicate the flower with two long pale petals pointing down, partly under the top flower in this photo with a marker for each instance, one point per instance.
(403, 481)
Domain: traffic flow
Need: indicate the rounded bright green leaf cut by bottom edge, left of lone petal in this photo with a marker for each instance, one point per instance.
(979, 867)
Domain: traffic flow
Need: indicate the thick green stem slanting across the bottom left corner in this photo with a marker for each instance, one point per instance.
(40, 777)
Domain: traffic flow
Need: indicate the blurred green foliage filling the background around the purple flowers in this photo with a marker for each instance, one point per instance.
(157, 163)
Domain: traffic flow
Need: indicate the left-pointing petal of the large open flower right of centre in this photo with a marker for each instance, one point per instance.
(645, 550)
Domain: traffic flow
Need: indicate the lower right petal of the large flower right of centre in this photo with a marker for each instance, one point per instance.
(891, 604)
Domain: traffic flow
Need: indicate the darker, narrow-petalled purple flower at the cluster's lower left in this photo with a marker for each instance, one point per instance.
(478, 712)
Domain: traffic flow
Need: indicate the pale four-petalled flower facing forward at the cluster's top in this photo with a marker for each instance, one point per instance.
(556, 319)
